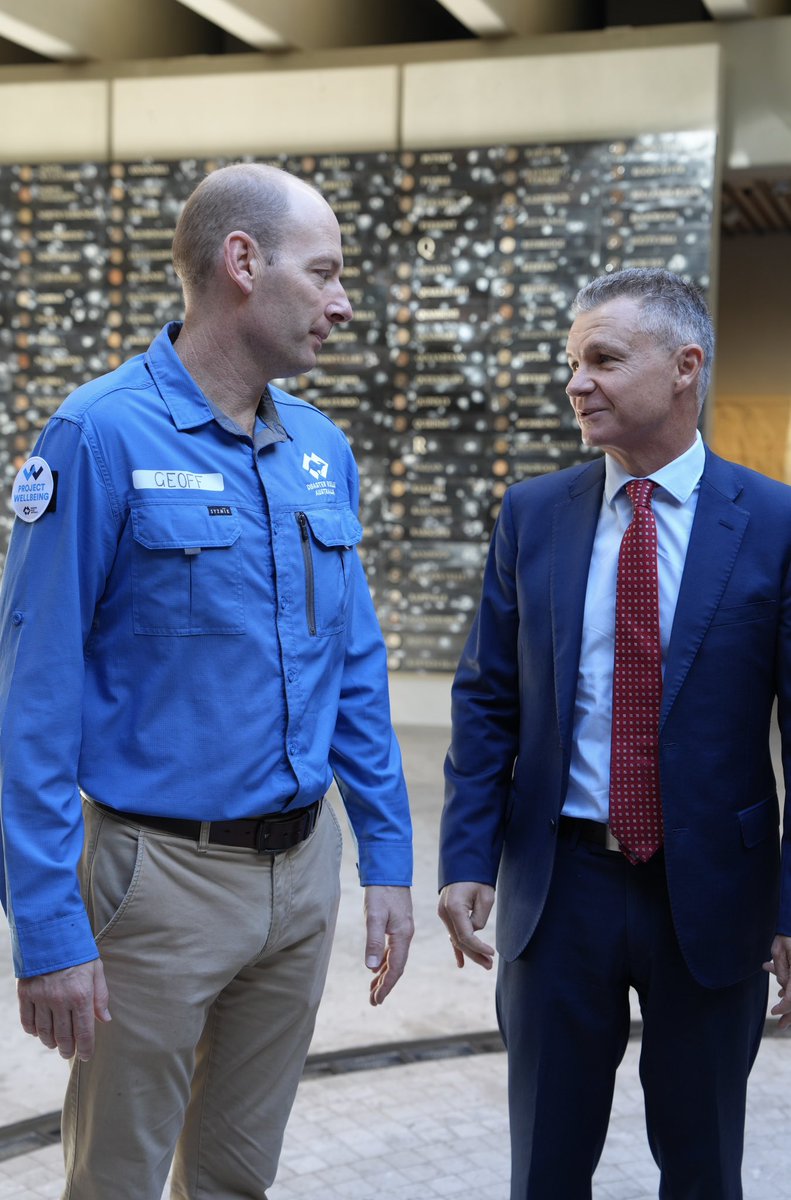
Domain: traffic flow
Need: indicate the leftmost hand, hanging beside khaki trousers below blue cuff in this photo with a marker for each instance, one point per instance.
(62, 1007)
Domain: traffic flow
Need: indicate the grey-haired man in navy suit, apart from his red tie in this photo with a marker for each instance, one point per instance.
(529, 773)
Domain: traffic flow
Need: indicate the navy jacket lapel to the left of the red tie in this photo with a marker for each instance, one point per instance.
(574, 526)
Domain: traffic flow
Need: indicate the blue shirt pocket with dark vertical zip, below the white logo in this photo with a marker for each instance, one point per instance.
(327, 539)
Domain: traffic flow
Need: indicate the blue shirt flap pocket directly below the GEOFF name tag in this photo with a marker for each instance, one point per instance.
(187, 572)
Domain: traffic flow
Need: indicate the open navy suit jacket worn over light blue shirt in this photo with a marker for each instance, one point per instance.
(729, 659)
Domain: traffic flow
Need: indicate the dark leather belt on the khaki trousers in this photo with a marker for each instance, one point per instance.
(268, 836)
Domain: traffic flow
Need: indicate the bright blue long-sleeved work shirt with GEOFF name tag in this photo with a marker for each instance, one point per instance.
(188, 632)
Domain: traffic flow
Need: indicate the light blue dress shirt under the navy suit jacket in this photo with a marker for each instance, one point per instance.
(675, 501)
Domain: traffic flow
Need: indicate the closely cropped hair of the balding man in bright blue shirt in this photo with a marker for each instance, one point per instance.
(247, 196)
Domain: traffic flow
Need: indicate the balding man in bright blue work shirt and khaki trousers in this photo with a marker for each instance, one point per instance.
(190, 656)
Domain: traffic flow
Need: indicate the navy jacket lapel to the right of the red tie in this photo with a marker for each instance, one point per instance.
(715, 542)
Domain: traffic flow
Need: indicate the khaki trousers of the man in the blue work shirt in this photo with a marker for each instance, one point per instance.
(215, 959)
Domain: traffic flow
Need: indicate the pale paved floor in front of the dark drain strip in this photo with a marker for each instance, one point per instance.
(440, 1129)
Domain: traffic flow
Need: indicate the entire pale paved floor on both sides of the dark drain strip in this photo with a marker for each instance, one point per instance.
(430, 1130)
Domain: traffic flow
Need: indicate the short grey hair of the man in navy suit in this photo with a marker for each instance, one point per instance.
(673, 310)
